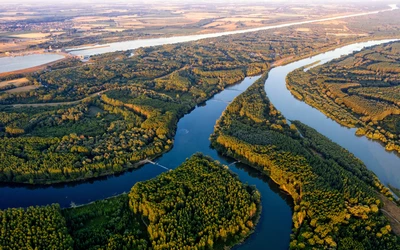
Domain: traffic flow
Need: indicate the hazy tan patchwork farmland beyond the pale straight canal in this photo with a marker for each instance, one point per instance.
(27, 27)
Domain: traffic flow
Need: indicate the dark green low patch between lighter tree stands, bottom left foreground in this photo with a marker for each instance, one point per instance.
(106, 224)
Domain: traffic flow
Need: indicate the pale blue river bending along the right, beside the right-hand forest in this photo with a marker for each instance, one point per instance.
(386, 165)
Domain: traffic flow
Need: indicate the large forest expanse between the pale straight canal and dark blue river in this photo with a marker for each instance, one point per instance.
(119, 109)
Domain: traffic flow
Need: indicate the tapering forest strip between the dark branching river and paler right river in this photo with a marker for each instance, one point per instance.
(335, 196)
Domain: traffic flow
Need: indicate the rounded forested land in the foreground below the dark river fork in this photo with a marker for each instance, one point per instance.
(199, 205)
